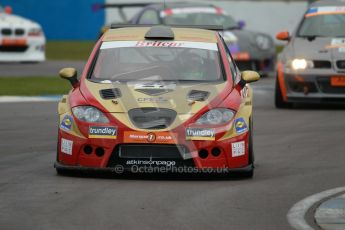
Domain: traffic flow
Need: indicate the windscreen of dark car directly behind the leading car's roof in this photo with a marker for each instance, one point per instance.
(198, 16)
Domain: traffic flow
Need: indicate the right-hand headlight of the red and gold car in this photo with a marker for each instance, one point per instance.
(216, 117)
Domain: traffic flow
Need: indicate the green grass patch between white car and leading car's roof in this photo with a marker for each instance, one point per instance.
(69, 50)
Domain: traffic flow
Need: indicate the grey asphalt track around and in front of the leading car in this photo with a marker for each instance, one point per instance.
(299, 152)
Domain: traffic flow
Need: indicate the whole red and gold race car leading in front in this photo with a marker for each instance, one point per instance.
(162, 98)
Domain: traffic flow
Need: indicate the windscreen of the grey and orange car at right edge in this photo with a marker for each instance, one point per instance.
(320, 23)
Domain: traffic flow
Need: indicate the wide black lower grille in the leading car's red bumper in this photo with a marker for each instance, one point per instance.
(150, 152)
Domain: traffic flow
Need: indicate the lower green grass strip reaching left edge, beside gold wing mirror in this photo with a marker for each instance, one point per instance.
(33, 86)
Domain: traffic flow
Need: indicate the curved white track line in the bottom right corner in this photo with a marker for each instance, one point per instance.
(296, 214)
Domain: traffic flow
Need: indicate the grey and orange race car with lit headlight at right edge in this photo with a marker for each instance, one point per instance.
(311, 67)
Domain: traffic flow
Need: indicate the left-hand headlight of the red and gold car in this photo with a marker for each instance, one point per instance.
(89, 114)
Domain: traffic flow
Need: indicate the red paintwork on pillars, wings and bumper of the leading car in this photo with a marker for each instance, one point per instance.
(230, 97)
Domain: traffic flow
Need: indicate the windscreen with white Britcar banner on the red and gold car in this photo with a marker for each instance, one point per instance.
(158, 61)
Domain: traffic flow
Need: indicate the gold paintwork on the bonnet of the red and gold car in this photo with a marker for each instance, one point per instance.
(176, 100)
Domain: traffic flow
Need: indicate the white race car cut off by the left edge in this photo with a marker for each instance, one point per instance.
(21, 40)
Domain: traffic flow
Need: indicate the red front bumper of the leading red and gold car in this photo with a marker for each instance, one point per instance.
(109, 153)
